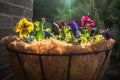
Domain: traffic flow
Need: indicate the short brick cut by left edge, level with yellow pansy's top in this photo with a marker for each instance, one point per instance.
(5, 21)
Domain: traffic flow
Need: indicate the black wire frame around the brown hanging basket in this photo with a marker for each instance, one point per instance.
(70, 55)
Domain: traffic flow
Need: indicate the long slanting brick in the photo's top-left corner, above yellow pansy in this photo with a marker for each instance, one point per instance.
(10, 9)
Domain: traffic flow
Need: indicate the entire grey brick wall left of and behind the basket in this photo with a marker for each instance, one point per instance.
(11, 11)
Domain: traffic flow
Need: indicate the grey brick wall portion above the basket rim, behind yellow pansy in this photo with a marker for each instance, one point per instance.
(11, 11)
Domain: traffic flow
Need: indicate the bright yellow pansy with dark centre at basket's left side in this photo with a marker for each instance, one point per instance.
(24, 27)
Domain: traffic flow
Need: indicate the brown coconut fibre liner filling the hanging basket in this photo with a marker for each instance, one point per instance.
(82, 67)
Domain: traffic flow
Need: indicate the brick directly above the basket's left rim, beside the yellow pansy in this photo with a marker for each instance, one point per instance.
(6, 32)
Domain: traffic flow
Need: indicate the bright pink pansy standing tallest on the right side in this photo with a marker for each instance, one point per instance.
(87, 22)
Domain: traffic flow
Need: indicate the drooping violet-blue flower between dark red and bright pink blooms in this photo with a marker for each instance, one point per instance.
(74, 26)
